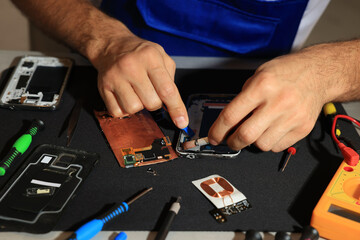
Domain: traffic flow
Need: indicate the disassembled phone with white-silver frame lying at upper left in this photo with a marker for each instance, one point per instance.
(37, 82)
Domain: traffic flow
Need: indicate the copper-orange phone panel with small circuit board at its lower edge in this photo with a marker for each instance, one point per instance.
(136, 140)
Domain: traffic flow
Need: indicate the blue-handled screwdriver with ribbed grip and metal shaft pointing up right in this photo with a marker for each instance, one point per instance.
(90, 229)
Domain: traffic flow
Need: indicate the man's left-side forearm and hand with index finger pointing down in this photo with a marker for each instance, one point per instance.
(133, 73)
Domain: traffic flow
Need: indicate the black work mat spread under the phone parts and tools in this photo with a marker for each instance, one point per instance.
(280, 201)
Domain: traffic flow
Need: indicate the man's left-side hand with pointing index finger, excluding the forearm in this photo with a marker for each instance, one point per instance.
(136, 74)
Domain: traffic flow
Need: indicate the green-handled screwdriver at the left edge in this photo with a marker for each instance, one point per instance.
(20, 145)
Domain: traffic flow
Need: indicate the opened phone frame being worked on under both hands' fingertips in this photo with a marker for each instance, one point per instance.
(203, 109)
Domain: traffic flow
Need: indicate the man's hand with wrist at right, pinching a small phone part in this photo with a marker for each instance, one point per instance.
(279, 105)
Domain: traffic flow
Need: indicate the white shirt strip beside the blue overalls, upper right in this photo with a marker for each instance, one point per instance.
(313, 11)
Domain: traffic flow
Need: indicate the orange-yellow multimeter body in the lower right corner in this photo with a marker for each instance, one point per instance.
(337, 214)
